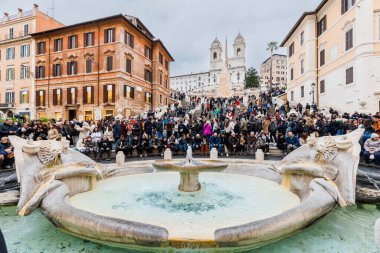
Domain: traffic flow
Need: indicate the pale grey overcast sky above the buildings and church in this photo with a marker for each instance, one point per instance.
(187, 27)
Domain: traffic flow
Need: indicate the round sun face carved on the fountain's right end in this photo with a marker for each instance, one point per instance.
(324, 150)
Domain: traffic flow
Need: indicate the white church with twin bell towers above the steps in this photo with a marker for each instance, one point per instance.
(209, 82)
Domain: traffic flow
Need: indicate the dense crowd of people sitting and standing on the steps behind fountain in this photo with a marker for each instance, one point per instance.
(234, 126)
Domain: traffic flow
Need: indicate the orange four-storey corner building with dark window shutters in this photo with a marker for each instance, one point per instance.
(100, 68)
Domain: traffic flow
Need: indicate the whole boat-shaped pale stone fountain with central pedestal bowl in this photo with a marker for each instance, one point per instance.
(173, 205)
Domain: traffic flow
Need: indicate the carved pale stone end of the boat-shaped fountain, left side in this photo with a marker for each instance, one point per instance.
(44, 165)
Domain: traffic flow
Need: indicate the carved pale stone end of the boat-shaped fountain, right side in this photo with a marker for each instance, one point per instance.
(330, 161)
